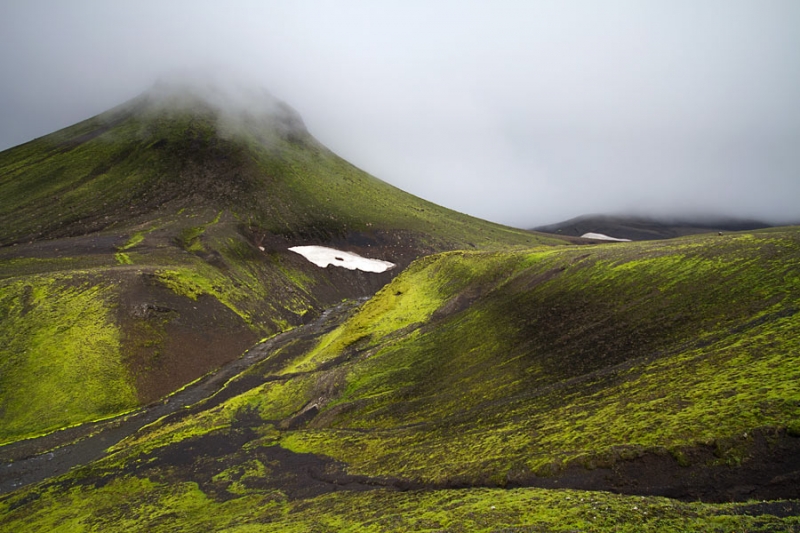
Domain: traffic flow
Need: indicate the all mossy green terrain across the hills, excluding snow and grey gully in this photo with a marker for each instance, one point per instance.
(492, 382)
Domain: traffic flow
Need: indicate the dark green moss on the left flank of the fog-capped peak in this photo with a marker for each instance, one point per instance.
(53, 181)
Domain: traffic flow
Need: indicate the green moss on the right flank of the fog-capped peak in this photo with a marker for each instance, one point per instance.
(348, 199)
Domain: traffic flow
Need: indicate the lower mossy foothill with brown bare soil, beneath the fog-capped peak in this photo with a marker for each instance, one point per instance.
(94, 326)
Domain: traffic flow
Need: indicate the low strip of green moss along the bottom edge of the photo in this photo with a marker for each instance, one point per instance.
(133, 504)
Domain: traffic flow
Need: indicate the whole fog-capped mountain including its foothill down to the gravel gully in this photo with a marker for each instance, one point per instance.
(146, 246)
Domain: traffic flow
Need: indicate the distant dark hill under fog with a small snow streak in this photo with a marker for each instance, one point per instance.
(643, 228)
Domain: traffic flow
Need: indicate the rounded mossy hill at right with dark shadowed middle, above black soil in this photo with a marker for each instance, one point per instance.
(575, 356)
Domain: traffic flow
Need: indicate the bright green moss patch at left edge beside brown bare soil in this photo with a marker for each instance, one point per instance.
(60, 355)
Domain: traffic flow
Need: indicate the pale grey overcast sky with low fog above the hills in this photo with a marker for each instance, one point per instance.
(525, 112)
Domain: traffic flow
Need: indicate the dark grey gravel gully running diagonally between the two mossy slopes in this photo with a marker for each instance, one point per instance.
(34, 460)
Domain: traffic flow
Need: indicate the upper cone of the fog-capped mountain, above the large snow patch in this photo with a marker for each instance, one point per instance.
(159, 154)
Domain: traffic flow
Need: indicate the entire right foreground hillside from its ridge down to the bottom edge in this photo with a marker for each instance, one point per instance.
(599, 388)
